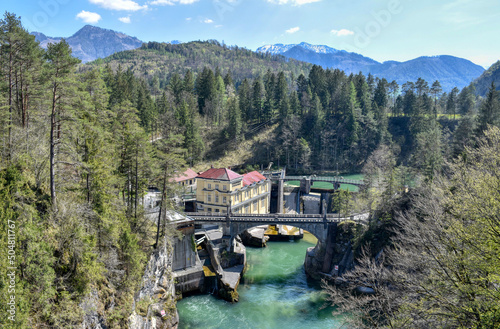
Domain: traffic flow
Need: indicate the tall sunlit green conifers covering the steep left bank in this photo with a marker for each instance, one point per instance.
(75, 164)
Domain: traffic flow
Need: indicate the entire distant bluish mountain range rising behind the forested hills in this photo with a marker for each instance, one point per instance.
(91, 43)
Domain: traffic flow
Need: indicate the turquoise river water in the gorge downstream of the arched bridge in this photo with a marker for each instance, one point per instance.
(274, 293)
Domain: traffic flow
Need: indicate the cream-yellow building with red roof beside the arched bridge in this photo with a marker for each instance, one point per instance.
(219, 190)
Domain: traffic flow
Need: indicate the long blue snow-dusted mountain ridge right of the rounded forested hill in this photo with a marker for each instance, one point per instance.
(450, 71)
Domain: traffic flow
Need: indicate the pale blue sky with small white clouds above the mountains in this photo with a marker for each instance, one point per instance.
(380, 29)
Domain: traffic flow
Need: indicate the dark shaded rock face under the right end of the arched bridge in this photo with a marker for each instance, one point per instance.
(334, 257)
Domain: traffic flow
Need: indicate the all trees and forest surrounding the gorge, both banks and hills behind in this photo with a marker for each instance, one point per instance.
(82, 143)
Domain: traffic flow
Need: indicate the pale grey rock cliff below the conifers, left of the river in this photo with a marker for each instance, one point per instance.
(157, 294)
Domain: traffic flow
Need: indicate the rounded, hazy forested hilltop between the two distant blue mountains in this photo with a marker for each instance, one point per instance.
(157, 62)
